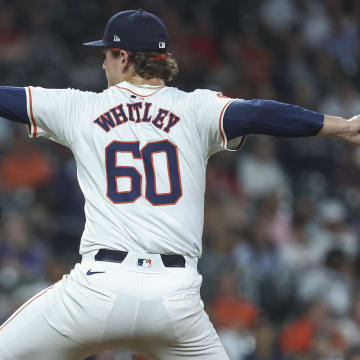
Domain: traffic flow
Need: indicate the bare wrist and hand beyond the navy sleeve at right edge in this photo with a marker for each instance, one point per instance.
(343, 129)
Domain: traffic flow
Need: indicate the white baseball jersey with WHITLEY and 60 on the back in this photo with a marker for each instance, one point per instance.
(141, 155)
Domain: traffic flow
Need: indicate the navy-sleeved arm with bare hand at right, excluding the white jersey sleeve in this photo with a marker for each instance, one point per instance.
(267, 117)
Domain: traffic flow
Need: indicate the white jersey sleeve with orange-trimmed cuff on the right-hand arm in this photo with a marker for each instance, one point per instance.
(209, 108)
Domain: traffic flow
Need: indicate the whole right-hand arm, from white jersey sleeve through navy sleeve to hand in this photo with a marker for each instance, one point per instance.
(222, 121)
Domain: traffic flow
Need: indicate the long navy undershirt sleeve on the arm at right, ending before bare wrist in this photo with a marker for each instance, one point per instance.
(267, 117)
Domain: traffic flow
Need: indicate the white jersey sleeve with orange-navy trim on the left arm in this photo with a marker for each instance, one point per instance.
(56, 113)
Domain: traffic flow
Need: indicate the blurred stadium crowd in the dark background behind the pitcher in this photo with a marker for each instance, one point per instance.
(281, 255)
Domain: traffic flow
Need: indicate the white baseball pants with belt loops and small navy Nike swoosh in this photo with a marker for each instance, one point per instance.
(150, 309)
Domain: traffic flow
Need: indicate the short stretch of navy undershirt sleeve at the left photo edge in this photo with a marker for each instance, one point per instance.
(13, 104)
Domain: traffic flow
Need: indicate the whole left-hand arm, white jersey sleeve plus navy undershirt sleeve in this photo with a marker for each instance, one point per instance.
(53, 113)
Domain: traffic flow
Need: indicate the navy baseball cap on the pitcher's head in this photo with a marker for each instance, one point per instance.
(134, 30)
